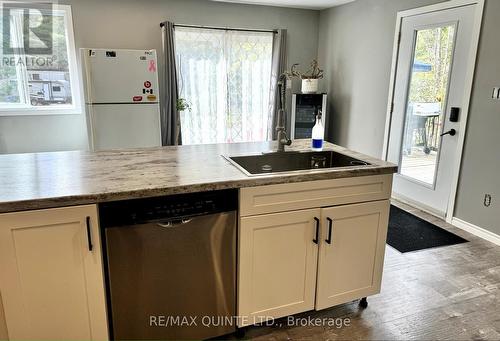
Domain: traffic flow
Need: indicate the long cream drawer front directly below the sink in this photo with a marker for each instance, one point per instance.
(303, 195)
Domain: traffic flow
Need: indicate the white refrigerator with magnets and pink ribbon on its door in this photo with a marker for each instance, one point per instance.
(121, 98)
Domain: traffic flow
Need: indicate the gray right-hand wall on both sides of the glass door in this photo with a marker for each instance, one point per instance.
(356, 42)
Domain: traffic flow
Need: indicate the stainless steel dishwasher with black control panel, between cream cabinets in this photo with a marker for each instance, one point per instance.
(171, 266)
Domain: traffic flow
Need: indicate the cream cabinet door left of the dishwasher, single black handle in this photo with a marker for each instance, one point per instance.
(51, 282)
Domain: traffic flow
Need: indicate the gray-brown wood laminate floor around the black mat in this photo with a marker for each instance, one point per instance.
(445, 293)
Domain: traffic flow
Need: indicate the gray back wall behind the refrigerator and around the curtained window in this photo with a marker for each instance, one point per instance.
(135, 24)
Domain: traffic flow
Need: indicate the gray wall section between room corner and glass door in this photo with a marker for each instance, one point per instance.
(355, 48)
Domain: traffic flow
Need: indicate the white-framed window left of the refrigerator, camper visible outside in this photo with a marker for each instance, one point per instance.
(38, 68)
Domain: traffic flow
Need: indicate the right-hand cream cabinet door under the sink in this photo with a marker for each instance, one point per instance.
(351, 257)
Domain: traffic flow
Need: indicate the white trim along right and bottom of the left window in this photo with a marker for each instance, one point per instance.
(77, 107)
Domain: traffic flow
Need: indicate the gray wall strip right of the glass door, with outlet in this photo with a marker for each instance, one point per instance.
(481, 160)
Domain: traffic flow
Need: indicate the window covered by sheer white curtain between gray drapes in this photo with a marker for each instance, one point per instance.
(225, 76)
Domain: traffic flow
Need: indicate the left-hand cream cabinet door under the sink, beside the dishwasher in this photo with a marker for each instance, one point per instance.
(277, 265)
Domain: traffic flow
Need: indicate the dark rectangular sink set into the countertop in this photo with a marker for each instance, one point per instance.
(284, 162)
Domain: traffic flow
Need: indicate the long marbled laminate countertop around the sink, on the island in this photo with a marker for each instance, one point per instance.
(57, 179)
